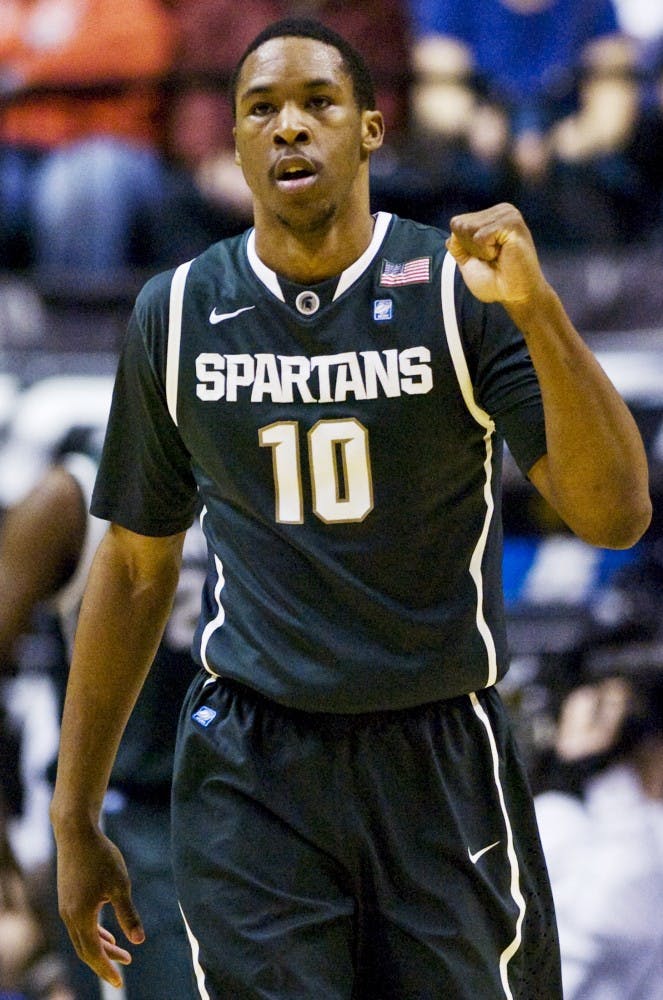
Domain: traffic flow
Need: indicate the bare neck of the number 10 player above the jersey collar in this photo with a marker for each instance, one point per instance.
(308, 256)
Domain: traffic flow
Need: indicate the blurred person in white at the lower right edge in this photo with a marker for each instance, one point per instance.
(601, 823)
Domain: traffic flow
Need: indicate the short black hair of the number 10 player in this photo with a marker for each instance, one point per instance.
(294, 27)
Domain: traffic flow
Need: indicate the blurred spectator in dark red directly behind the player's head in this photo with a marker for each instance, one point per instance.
(214, 34)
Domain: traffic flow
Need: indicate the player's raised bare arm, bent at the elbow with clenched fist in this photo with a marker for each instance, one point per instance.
(595, 471)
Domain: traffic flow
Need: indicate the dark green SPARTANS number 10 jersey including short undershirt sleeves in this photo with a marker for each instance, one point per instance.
(345, 440)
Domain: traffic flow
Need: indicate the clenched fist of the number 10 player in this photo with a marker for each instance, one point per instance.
(496, 255)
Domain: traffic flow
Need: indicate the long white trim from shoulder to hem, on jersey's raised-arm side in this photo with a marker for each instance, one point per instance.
(459, 360)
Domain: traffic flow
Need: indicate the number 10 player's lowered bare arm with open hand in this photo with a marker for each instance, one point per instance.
(127, 601)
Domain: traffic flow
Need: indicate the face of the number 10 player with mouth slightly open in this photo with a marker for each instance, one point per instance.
(301, 139)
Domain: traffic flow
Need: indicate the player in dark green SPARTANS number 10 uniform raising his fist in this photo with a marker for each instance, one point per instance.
(350, 815)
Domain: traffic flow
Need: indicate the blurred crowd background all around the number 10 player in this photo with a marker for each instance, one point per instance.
(116, 160)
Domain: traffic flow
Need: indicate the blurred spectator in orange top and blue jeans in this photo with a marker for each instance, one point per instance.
(81, 133)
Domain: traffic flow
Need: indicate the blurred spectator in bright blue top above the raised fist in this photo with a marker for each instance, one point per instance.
(536, 100)
